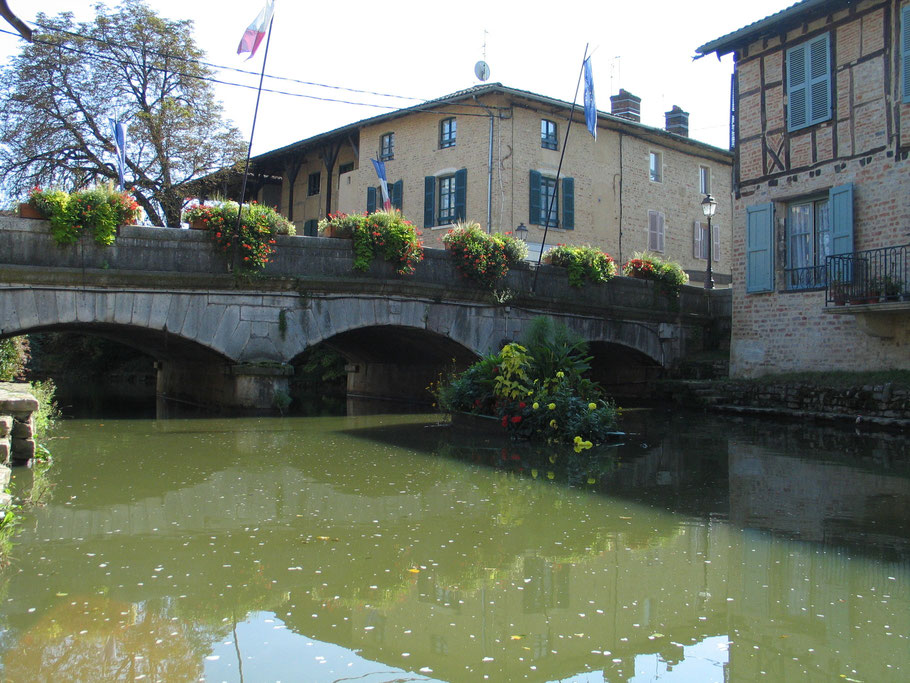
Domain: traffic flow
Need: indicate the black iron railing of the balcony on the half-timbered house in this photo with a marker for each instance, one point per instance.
(871, 276)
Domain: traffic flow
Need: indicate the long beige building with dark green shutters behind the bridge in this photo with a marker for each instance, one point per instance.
(491, 154)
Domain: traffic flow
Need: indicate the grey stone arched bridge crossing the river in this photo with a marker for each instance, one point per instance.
(167, 293)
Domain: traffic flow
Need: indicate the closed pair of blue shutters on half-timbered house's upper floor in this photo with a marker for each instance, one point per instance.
(809, 83)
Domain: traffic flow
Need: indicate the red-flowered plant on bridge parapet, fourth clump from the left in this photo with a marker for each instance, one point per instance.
(481, 257)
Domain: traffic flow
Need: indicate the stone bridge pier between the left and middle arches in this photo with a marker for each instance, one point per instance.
(244, 387)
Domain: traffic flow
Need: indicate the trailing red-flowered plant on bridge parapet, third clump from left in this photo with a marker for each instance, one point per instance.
(381, 233)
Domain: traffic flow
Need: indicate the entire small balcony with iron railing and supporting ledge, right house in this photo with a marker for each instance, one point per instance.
(873, 285)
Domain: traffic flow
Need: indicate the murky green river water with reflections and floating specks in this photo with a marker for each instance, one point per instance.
(377, 546)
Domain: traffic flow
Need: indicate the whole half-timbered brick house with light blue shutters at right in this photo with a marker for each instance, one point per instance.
(821, 184)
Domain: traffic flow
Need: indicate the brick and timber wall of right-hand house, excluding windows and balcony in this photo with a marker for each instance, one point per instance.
(864, 143)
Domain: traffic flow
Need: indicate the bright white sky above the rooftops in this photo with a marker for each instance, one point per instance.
(424, 50)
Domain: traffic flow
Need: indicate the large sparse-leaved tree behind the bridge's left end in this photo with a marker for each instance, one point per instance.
(127, 64)
